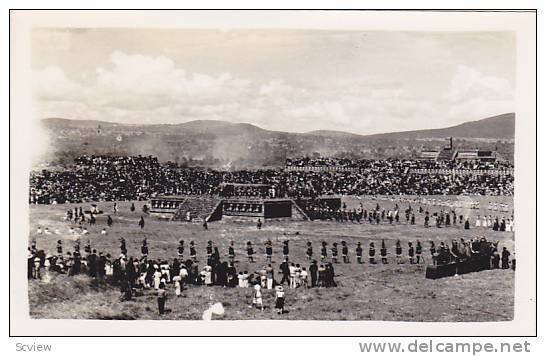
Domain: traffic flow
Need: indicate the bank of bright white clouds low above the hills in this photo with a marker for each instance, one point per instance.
(136, 88)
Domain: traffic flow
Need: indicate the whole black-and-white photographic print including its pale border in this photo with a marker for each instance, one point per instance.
(274, 173)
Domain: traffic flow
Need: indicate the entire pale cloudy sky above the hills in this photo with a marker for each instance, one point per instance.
(289, 80)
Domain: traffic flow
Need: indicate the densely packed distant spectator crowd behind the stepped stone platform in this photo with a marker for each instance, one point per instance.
(111, 178)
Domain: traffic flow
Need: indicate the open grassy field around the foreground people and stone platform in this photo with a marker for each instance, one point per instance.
(364, 292)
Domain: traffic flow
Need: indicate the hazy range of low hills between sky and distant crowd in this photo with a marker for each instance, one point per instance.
(229, 145)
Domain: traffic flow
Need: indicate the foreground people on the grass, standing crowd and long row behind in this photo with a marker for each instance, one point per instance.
(135, 275)
